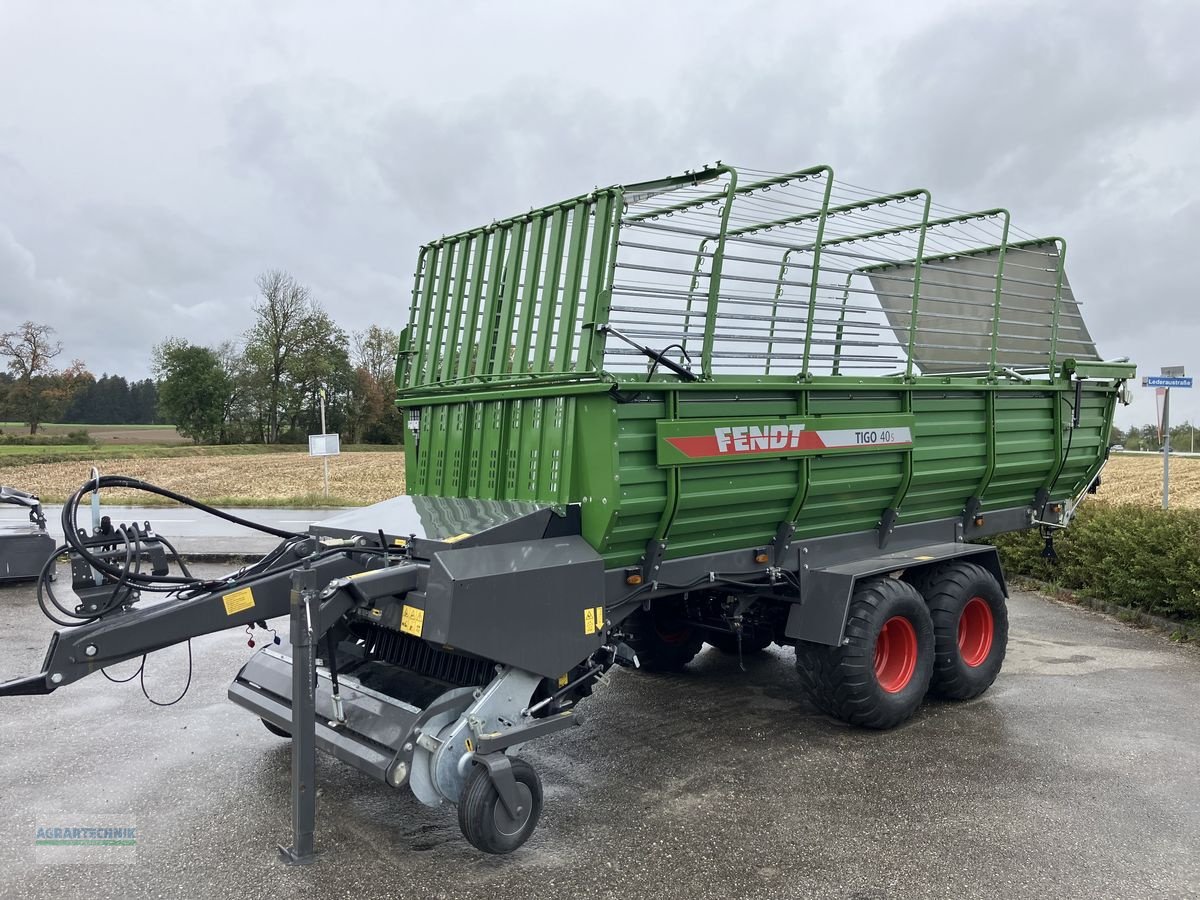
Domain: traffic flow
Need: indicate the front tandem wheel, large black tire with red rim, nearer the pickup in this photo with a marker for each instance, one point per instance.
(880, 674)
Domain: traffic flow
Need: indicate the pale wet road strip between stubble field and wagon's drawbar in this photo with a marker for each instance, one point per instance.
(191, 531)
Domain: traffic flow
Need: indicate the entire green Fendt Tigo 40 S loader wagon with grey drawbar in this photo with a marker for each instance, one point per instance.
(731, 407)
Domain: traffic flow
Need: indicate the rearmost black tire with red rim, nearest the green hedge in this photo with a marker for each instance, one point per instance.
(970, 628)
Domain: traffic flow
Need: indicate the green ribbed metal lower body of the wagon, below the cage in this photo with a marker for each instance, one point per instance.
(590, 449)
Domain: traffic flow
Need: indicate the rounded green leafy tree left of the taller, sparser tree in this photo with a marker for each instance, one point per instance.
(193, 388)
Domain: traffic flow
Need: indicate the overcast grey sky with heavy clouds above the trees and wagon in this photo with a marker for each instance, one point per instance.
(155, 158)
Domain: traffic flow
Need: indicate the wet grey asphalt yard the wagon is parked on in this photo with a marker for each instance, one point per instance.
(1078, 776)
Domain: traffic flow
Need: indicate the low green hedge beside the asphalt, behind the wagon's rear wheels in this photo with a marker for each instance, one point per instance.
(1143, 559)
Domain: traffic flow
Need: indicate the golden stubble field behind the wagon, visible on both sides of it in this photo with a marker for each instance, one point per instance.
(293, 478)
